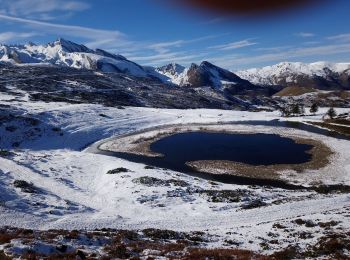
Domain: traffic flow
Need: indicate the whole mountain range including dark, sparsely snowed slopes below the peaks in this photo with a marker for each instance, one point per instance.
(67, 71)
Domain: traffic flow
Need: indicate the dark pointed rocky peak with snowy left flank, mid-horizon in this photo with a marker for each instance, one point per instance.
(205, 74)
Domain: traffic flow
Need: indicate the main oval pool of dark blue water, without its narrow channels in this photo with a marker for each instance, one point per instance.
(253, 149)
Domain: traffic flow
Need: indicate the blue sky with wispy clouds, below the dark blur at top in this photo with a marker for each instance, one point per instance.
(153, 32)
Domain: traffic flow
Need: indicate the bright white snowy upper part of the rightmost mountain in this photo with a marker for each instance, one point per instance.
(272, 75)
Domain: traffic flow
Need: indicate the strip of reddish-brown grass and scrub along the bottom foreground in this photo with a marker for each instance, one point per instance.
(127, 244)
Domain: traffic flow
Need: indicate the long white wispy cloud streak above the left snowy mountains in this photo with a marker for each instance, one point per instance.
(114, 41)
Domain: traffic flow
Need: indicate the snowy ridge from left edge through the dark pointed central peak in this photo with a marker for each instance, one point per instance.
(65, 53)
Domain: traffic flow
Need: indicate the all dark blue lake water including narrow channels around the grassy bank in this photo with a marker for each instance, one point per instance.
(254, 149)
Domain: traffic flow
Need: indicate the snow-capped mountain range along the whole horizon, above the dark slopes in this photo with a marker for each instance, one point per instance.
(64, 53)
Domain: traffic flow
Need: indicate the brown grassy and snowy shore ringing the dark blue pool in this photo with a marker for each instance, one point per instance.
(140, 144)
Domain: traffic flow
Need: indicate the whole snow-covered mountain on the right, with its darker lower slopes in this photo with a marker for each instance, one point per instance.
(318, 74)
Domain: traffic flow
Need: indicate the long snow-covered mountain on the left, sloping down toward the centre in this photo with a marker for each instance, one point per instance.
(69, 54)
